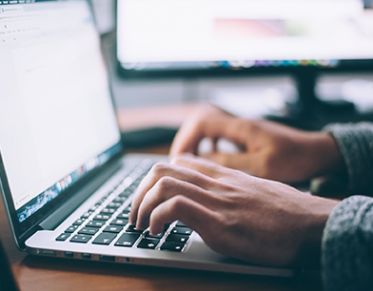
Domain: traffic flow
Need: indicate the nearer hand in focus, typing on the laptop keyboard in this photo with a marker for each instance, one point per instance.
(237, 215)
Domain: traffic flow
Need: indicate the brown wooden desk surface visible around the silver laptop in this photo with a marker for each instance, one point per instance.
(34, 273)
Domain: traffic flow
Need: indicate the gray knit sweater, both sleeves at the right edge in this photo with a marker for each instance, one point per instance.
(347, 247)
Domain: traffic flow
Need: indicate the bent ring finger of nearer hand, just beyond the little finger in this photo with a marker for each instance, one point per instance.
(166, 188)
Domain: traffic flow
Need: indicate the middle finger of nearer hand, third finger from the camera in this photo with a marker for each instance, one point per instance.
(166, 170)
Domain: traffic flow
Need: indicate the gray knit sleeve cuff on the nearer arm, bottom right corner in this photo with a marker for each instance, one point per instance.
(347, 247)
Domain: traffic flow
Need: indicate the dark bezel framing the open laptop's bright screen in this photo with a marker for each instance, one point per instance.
(22, 231)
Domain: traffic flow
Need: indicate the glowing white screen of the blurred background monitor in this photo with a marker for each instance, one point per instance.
(161, 35)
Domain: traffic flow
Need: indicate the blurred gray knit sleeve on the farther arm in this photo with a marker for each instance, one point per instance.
(355, 142)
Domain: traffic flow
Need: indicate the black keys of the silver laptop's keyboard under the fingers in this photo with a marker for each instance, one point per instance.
(106, 223)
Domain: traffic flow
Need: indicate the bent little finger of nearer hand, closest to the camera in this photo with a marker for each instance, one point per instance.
(196, 216)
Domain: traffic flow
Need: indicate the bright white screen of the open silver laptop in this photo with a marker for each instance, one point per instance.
(57, 121)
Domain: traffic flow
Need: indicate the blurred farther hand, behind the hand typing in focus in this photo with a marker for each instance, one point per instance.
(268, 150)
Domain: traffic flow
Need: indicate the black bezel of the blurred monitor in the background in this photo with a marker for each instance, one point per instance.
(343, 66)
